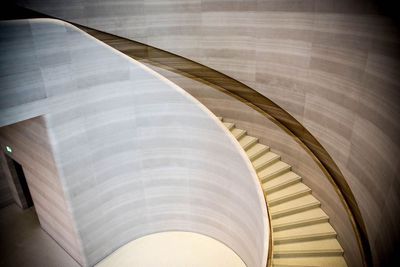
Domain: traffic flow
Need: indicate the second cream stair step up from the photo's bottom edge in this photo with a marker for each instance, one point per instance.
(320, 248)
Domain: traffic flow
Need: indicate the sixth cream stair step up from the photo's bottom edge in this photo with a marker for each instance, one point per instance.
(289, 193)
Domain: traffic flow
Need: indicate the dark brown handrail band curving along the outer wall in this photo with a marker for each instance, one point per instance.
(161, 60)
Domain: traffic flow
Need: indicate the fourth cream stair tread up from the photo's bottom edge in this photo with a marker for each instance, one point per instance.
(308, 216)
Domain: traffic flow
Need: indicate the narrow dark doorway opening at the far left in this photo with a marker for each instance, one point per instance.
(20, 183)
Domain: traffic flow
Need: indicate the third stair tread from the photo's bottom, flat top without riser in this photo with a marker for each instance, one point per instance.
(320, 229)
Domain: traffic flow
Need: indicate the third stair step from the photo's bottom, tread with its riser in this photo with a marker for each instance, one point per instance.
(305, 233)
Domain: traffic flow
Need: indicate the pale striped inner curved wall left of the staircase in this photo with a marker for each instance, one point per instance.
(135, 153)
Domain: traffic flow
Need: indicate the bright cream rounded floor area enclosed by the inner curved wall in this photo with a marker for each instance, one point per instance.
(178, 249)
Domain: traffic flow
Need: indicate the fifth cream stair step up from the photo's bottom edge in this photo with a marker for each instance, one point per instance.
(293, 206)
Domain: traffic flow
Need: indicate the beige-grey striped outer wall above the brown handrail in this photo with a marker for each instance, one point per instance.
(332, 64)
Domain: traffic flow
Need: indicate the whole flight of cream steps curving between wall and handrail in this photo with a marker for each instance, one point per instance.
(301, 232)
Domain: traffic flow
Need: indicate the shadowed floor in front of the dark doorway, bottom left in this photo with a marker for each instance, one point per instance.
(24, 243)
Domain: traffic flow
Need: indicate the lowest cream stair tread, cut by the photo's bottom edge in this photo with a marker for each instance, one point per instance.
(337, 261)
